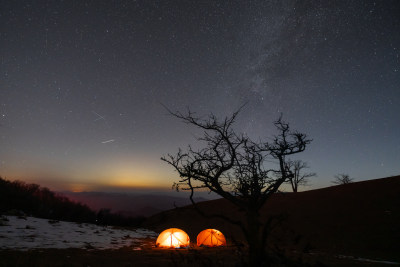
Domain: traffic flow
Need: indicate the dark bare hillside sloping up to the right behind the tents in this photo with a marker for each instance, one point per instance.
(359, 219)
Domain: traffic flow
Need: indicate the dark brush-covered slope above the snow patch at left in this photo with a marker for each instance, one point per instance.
(17, 197)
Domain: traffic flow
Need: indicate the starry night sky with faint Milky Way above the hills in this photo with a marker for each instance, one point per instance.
(83, 84)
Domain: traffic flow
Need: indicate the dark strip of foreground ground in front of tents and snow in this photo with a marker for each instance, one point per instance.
(148, 255)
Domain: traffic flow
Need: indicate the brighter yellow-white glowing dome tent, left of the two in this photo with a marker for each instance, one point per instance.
(173, 238)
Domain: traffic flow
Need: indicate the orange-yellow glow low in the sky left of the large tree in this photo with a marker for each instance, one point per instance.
(116, 175)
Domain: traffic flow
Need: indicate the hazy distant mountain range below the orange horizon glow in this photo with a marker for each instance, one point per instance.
(129, 204)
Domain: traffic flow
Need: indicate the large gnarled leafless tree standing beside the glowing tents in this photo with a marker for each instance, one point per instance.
(238, 169)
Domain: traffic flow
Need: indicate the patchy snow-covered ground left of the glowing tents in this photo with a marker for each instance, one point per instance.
(33, 233)
